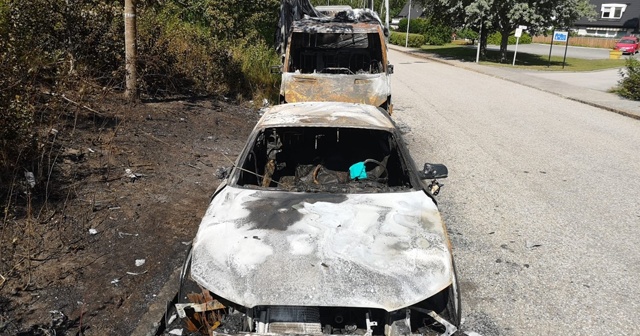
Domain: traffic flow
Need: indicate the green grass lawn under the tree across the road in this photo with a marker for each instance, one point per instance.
(523, 60)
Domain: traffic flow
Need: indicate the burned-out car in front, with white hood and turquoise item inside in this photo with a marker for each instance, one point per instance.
(323, 226)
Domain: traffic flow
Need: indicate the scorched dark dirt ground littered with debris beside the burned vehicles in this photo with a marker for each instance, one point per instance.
(139, 175)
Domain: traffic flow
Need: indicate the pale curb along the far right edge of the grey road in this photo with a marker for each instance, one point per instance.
(458, 64)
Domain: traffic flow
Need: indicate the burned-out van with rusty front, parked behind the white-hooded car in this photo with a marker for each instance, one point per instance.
(336, 55)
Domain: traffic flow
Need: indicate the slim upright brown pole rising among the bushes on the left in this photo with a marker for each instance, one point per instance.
(130, 35)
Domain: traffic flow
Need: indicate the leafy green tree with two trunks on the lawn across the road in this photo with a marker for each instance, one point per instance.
(504, 16)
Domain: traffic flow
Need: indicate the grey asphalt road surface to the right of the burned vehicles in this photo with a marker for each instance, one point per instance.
(542, 200)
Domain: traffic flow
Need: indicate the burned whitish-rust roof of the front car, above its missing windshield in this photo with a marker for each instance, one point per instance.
(326, 114)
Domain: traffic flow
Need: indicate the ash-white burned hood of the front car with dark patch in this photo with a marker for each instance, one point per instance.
(385, 250)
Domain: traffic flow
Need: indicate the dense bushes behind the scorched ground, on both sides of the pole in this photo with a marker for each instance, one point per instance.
(54, 47)
